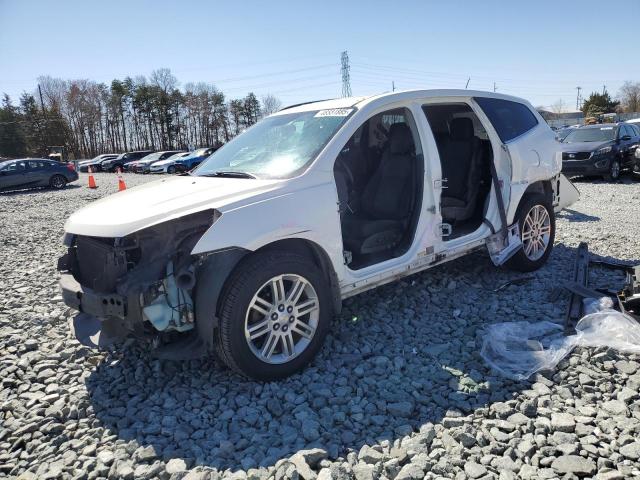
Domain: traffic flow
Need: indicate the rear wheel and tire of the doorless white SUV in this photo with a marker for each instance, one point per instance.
(528, 259)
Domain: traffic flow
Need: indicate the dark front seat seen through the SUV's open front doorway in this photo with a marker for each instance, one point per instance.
(387, 198)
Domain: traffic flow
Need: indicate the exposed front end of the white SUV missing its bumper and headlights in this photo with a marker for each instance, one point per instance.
(141, 284)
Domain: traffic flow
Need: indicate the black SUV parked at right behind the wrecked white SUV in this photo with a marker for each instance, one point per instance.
(603, 150)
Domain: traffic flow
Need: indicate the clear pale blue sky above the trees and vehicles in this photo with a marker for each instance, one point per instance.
(539, 50)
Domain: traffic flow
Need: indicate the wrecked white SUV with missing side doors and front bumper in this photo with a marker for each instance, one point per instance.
(250, 255)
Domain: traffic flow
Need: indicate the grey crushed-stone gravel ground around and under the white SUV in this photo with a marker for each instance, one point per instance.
(399, 391)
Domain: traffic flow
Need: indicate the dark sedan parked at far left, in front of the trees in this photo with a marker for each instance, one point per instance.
(36, 172)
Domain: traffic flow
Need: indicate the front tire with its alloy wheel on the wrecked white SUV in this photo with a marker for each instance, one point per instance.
(276, 327)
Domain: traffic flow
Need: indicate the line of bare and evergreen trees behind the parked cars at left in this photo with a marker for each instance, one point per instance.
(90, 118)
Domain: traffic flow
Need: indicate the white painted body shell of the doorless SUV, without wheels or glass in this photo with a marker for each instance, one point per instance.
(255, 213)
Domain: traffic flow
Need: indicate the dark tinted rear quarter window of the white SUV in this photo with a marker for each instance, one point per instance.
(510, 119)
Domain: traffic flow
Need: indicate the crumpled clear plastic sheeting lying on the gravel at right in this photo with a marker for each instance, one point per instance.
(517, 350)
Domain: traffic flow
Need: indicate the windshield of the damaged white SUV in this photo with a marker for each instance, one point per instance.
(278, 146)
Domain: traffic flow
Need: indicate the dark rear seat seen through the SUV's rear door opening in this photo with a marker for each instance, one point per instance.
(461, 156)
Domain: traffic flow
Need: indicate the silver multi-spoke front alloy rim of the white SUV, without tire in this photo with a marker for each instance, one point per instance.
(282, 318)
